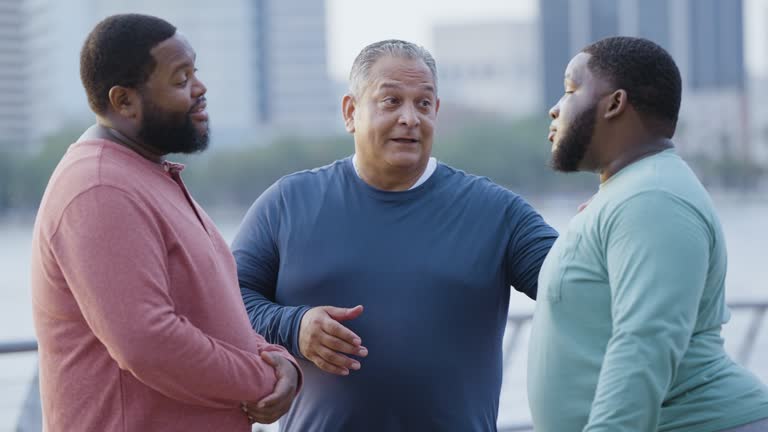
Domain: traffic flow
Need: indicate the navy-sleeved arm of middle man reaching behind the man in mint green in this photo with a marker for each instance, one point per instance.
(530, 241)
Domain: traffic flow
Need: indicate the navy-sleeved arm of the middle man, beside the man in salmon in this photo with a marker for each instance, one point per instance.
(258, 260)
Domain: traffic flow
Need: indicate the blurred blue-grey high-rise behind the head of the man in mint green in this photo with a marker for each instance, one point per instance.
(706, 38)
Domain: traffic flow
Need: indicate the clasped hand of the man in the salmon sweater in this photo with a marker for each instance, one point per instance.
(269, 409)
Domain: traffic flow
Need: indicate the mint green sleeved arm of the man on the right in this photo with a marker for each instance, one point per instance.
(657, 259)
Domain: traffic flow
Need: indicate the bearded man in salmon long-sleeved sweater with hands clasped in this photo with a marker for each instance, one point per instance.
(137, 309)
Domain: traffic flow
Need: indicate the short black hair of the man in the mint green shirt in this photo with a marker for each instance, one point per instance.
(645, 71)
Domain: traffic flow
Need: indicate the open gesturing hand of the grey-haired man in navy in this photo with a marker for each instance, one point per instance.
(323, 341)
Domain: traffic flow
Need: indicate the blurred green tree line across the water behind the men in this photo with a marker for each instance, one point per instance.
(514, 154)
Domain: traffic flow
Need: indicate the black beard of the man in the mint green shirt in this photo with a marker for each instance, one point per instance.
(574, 144)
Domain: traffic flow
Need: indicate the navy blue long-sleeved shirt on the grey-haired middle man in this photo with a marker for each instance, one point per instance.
(433, 268)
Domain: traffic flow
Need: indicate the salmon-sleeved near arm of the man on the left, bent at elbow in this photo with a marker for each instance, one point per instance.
(114, 259)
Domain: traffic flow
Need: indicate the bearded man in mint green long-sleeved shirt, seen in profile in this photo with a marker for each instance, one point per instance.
(626, 333)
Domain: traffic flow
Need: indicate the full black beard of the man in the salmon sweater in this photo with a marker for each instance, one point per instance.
(170, 132)
